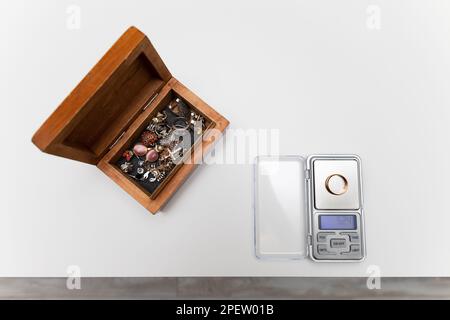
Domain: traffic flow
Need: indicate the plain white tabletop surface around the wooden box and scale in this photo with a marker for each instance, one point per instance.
(312, 66)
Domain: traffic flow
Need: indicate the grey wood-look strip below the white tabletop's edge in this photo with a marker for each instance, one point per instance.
(225, 288)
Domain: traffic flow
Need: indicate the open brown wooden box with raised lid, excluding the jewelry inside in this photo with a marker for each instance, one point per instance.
(116, 100)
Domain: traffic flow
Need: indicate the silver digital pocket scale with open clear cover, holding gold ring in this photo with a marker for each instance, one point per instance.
(309, 207)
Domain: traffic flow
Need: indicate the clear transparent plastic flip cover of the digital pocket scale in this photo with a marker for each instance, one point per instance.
(280, 207)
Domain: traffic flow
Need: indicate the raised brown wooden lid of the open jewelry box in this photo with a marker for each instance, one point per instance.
(106, 101)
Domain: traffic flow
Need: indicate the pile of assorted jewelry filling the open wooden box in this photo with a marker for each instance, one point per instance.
(162, 145)
